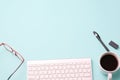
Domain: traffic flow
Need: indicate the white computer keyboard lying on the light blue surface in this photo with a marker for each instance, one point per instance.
(65, 69)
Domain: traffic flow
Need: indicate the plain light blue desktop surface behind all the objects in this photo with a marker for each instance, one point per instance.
(57, 29)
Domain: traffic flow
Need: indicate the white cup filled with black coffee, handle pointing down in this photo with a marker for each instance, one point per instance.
(109, 63)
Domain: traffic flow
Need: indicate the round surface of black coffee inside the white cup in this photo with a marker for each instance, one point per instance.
(109, 62)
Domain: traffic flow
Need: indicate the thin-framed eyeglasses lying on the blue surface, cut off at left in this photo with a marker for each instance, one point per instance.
(11, 50)
